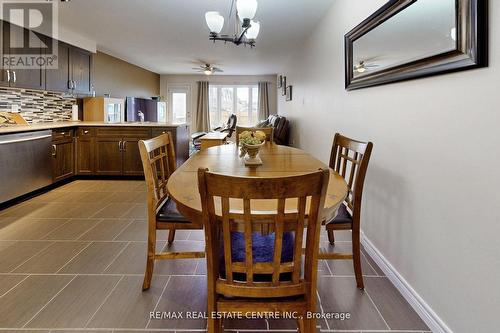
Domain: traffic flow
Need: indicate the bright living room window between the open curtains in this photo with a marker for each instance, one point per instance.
(242, 100)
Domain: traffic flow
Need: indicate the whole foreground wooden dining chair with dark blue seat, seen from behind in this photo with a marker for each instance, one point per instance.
(250, 271)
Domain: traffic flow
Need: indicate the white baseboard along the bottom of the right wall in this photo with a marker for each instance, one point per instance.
(435, 323)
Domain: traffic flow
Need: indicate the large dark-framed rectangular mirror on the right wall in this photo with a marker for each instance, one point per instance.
(407, 39)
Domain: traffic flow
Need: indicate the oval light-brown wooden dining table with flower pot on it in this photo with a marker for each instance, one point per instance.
(278, 161)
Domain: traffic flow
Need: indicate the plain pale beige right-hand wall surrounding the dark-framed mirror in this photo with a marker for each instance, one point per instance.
(431, 197)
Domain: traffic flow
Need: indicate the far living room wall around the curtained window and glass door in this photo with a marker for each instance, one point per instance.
(170, 81)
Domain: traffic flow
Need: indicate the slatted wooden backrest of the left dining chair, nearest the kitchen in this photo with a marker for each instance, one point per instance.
(158, 159)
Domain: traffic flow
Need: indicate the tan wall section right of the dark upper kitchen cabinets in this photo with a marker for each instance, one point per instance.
(121, 79)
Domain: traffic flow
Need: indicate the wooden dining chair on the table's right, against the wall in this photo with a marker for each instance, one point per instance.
(350, 159)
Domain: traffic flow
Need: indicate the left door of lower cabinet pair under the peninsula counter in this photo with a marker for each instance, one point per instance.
(108, 156)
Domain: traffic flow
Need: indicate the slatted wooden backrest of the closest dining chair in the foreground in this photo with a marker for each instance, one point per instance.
(218, 186)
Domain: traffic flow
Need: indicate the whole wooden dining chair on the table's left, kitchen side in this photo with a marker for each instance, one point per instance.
(158, 160)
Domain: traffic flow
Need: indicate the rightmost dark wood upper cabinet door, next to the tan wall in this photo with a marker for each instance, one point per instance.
(81, 64)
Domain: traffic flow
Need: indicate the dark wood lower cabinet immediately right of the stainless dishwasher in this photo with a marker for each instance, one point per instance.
(63, 161)
